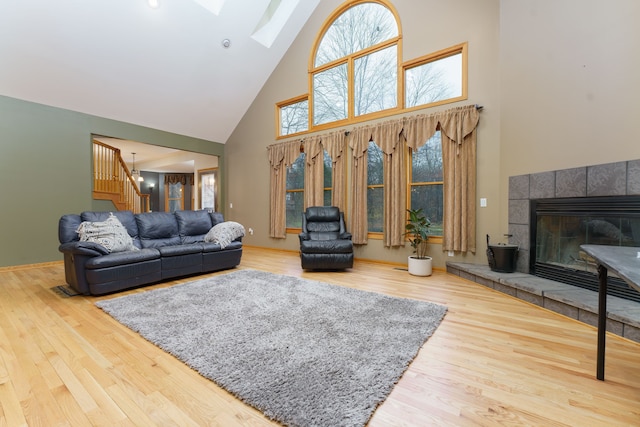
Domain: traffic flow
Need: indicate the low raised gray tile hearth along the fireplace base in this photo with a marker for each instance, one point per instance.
(623, 317)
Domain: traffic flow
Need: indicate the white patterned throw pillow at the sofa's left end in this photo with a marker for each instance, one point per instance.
(109, 233)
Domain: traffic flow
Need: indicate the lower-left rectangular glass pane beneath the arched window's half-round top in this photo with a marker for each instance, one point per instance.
(330, 95)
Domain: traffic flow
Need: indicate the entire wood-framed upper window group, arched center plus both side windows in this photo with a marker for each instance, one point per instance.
(356, 72)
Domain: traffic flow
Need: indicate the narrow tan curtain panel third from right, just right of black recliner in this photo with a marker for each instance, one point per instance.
(359, 143)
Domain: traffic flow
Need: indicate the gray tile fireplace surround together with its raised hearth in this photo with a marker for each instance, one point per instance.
(611, 179)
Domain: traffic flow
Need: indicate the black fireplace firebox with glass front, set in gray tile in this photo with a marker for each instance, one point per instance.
(560, 225)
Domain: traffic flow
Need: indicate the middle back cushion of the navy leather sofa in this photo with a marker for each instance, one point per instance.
(157, 229)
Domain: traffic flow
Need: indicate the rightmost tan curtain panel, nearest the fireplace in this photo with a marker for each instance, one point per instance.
(458, 130)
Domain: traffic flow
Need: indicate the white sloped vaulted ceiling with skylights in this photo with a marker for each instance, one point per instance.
(167, 68)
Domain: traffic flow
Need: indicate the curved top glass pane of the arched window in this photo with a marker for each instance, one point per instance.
(358, 28)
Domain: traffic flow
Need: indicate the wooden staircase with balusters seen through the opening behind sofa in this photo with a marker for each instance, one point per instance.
(113, 181)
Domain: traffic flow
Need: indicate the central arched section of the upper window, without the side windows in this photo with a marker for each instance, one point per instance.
(354, 69)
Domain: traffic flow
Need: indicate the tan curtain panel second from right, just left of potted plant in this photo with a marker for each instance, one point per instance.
(387, 136)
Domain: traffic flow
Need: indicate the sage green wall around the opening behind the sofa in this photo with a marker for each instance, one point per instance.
(45, 171)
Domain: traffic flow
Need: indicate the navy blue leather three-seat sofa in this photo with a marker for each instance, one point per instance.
(170, 245)
